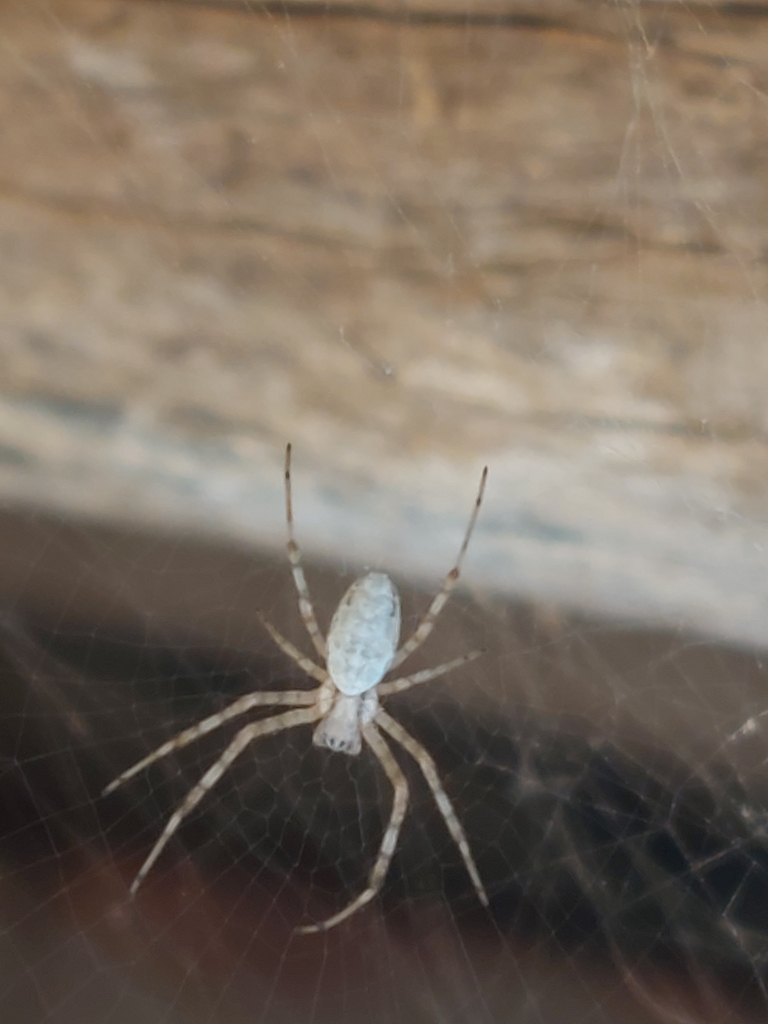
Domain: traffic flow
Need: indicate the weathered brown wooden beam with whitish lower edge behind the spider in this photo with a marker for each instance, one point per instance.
(412, 245)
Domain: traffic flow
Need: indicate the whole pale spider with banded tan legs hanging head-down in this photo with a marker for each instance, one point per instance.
(361, 650)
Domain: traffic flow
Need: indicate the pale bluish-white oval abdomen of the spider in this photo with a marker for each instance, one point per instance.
(364, 634)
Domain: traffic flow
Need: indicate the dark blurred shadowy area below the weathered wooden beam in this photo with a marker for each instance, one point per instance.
(628, 874)
